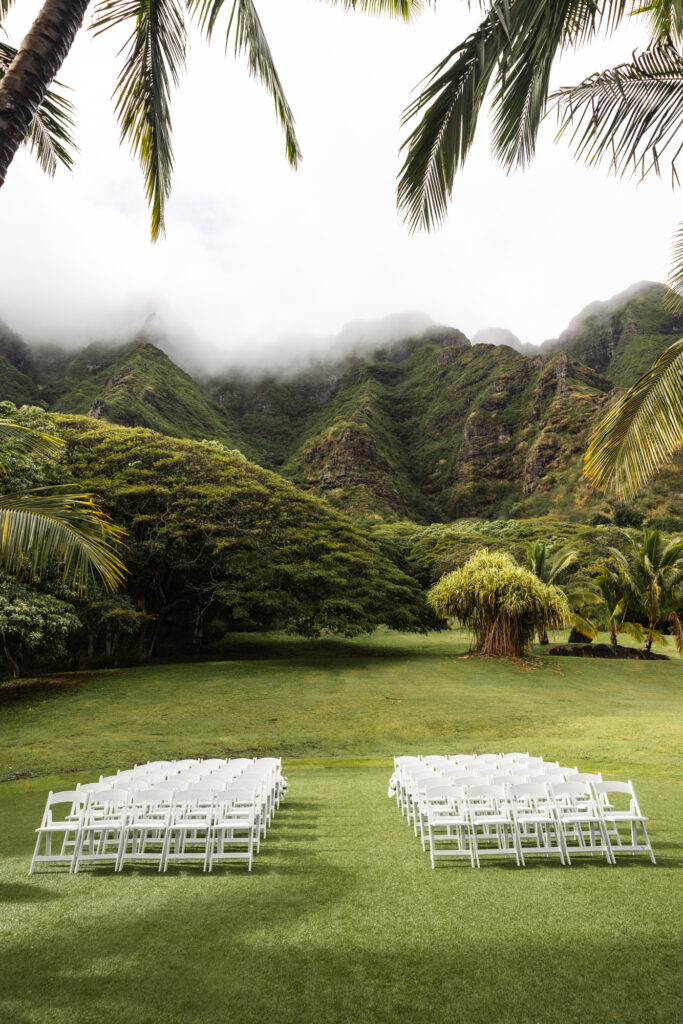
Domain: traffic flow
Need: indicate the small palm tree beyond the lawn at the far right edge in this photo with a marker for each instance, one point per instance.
(653, 576)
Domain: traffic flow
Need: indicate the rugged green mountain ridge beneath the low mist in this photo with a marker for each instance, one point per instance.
(428, 429)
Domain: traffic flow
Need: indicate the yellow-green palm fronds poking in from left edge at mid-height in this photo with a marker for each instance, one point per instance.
(55, 525)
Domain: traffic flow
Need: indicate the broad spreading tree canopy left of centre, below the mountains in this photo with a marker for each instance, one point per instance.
(214, 536)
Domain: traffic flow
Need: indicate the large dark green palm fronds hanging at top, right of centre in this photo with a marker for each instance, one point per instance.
(514, 50)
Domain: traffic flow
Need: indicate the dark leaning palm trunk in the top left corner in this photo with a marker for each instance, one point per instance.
(29, 77)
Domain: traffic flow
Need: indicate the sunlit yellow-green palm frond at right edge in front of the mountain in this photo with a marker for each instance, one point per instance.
(642, 432)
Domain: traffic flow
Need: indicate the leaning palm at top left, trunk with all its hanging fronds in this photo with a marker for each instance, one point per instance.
(153, 63)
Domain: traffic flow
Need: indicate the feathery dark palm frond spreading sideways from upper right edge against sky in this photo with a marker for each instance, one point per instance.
(631, 115)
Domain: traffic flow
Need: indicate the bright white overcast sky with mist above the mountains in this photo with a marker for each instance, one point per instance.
(258, 255)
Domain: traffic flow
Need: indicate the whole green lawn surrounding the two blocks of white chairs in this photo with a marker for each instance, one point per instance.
(343, 920)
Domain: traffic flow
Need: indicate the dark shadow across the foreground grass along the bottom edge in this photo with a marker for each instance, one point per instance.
(249, 962)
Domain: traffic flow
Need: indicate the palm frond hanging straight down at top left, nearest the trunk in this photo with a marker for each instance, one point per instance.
(154, 60)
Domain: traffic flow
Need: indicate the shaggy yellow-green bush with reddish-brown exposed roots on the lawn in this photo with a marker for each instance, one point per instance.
(500, 603)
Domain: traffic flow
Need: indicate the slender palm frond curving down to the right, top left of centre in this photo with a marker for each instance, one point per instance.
(250, 39)
